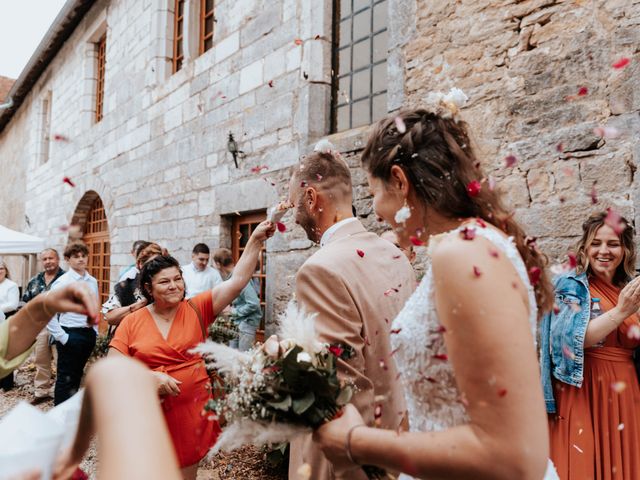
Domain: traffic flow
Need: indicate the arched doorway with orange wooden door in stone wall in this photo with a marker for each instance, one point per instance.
(91, 217)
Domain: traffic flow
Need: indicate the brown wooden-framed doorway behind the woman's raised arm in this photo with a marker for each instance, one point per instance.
(241, 229)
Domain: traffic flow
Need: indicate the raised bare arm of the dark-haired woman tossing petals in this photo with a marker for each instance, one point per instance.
(227, 291)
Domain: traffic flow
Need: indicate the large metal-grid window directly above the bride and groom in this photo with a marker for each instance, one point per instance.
(360, 50)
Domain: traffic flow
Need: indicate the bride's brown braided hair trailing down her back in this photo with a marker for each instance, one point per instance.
(436, 155)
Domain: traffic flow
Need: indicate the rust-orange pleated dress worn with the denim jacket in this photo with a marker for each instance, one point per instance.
(595, 434)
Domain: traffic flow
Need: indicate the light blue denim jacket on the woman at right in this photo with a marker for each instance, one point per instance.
(562, 334)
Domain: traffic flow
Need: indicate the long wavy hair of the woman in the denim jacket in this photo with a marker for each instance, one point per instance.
(627, 268)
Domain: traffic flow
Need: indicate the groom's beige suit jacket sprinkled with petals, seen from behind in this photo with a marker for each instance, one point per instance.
(356, 298)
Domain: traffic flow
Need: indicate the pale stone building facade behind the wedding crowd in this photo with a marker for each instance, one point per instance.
(158, 157)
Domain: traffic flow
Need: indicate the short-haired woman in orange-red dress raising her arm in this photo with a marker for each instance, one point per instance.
(162, 334)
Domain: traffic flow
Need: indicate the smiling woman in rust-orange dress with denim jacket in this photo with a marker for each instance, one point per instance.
(595, 432)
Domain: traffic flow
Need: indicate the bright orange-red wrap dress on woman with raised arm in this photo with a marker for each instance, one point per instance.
(193, 433)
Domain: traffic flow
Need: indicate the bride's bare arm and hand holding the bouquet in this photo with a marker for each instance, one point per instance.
(491, 348)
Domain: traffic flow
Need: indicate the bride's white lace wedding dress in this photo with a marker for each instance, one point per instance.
(433, 399)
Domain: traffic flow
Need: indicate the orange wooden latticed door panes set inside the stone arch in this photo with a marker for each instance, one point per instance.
(96, 237)
